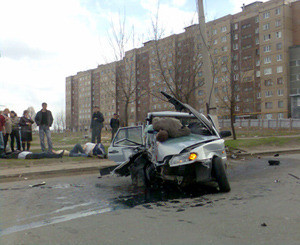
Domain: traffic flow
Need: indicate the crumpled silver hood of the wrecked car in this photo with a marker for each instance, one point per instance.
(175, 146)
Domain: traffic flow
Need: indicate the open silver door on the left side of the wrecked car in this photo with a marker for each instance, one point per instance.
(125, 143)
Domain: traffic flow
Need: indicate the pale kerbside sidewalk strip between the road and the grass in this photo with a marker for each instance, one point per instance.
(61, 168)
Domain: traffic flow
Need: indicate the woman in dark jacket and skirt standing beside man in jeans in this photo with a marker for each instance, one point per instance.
(26, 130)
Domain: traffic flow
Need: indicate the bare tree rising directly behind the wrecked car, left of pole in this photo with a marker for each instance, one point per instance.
(178, 63)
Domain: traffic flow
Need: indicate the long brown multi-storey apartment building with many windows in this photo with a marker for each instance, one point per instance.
(250, 61)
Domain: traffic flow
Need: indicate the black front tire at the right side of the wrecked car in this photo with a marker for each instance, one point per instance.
(220, 174)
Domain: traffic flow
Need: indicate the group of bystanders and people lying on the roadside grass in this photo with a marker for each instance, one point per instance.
(19, 130)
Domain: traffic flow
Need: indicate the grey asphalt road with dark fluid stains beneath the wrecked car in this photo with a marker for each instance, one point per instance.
(262, 208)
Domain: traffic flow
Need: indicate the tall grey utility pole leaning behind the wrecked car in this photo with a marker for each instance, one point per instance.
(207, 62)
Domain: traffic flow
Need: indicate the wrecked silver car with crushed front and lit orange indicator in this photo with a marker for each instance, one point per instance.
(197, 157)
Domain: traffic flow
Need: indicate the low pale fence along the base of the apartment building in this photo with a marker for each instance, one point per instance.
(290, 123)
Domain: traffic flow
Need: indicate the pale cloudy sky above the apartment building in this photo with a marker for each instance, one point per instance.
(42, 42)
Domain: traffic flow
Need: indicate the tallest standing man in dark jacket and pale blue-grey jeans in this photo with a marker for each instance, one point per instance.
(44, 120)
